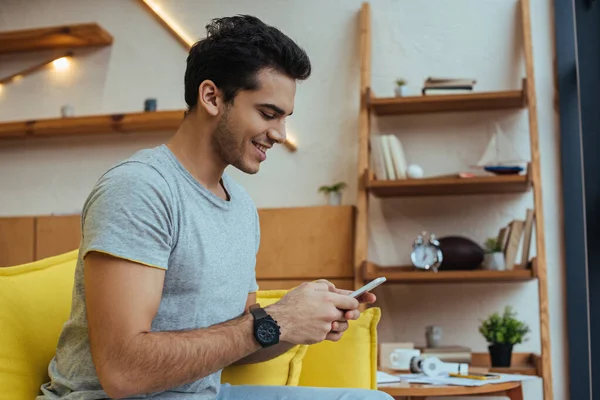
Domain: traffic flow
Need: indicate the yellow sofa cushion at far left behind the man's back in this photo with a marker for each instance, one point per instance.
(36, 301)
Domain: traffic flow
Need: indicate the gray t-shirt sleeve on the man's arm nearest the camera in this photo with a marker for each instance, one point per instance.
(129, 215)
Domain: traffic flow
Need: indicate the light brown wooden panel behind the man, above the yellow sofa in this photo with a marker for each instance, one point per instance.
(297, 243)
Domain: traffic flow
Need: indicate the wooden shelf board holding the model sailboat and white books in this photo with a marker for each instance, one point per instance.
(450, 186)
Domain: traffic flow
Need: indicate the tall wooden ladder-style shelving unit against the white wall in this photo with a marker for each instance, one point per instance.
(523, 99)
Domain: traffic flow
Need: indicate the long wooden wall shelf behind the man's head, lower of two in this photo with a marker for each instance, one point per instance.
(97, 124)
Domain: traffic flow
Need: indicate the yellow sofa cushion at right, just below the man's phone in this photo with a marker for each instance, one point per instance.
(350, 362)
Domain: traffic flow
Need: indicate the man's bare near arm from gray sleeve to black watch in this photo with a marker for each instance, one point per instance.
(122, 299)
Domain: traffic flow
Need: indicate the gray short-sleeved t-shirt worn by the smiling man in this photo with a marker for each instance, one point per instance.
(151, 210)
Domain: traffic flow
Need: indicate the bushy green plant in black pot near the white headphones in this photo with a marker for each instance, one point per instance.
(502, 332)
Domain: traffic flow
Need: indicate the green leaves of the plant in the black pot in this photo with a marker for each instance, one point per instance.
(504, 329)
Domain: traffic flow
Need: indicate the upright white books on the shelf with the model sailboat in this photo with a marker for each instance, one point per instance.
(387, 157)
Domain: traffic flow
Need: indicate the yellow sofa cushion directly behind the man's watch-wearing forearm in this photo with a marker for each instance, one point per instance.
(282, 370)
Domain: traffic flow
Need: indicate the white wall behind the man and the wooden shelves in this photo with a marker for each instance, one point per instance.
(479, 39)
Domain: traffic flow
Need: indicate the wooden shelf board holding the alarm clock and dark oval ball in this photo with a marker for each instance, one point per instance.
(407, 274)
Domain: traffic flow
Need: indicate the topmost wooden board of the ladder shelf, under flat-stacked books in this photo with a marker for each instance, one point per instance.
(476, 101)
